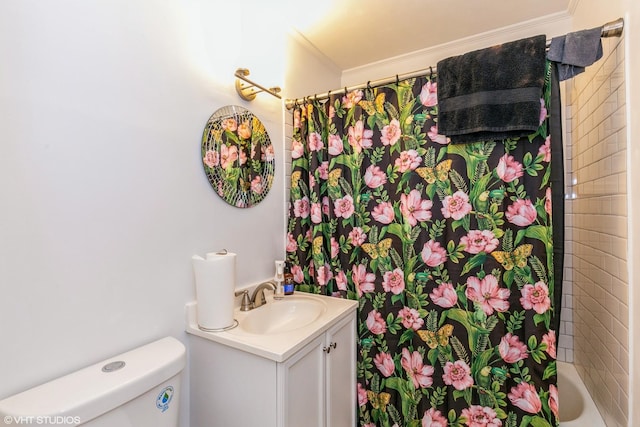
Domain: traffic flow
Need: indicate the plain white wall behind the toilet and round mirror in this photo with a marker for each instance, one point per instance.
(103, 196)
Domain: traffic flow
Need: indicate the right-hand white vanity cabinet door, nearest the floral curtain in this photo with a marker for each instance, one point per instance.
(340, 365)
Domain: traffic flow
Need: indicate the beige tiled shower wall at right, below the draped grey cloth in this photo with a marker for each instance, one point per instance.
(595, 326)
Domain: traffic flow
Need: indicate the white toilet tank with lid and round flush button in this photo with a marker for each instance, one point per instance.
(139, 388)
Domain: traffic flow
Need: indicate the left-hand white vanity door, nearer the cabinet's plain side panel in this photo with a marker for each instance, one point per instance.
(301, 387)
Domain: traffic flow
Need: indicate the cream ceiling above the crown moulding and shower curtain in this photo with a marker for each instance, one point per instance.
(352, 33)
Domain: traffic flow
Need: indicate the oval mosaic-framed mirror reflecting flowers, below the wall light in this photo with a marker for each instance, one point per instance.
(238, 156)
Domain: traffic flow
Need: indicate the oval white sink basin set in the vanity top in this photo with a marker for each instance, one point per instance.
(285, 315)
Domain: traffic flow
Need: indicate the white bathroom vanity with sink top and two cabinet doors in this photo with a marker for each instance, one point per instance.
(289, 363)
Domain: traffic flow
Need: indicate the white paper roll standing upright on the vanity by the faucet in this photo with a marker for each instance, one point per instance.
(215, 286)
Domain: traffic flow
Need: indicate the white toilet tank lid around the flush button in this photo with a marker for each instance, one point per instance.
(91, 392)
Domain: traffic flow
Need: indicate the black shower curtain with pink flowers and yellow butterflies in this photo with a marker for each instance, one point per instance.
(448, 249)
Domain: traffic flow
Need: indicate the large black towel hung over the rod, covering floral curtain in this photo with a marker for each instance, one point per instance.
(492, 93)
